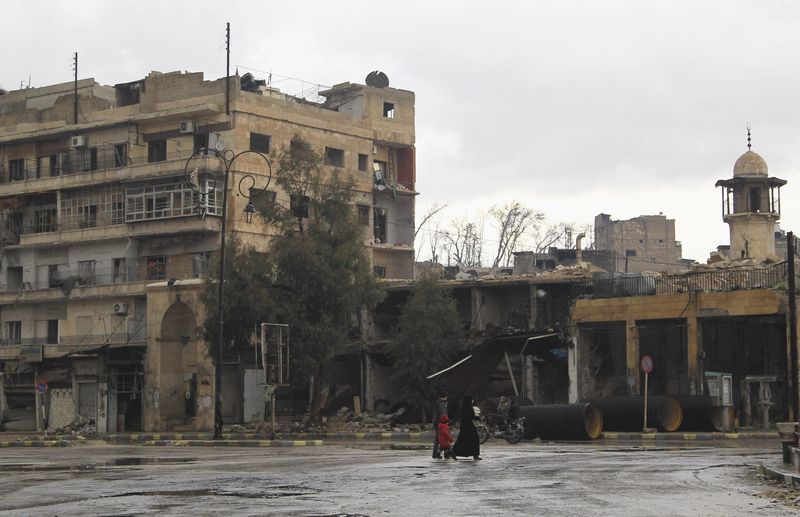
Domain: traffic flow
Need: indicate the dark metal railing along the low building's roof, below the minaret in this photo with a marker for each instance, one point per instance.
(731, 279)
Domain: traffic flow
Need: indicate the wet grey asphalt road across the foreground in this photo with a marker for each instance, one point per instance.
(376, 479)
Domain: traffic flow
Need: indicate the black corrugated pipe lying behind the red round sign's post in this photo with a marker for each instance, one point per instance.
(627, 413)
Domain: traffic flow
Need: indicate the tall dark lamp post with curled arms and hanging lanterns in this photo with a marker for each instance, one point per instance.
(203, 183)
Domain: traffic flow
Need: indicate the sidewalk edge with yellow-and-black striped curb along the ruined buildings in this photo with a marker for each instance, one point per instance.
(317, 439)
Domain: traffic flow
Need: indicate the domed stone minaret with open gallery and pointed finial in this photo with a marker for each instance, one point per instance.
(751, 205)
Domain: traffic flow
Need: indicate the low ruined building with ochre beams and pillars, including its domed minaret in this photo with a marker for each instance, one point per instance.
(726, 319)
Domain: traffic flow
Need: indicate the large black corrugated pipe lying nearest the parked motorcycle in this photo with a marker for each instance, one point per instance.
(562, 422)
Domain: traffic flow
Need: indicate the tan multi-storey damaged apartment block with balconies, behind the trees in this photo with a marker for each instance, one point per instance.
(104, 246)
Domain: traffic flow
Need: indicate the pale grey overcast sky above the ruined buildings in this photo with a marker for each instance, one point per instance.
(571, 107)
